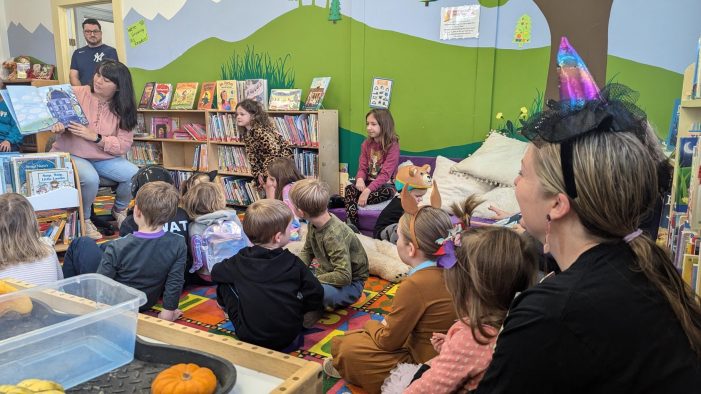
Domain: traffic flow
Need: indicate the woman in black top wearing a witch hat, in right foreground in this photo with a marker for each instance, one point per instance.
(618, 318)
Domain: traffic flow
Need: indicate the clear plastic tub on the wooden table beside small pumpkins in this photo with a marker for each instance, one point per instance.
(79, 328)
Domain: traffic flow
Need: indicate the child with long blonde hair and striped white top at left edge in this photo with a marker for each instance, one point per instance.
(24, 254)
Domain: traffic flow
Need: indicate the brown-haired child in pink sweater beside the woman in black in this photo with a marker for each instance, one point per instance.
(484, 270)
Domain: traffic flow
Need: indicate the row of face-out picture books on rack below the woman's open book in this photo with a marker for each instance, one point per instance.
(37, 173)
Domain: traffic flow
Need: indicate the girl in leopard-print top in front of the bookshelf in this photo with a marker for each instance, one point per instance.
(263, 142)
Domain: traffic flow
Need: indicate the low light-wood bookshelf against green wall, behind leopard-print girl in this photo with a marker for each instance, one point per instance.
(319, 158)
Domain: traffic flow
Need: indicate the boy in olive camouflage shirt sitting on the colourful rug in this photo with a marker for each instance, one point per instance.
(343, 264)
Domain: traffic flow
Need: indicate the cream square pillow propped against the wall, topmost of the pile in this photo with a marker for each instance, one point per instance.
(498, 160)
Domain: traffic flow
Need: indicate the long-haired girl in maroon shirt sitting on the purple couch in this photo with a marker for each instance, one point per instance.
(377, 164)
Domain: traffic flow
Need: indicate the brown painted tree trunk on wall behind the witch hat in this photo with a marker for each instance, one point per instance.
(585, 23)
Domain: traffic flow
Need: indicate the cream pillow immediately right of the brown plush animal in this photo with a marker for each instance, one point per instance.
(454, 187)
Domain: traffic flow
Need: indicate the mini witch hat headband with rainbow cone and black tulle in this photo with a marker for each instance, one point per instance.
(582, 109)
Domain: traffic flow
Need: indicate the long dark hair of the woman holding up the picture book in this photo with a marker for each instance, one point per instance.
(122, 103)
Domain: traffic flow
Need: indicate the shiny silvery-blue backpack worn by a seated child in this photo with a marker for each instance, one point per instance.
(220, 240)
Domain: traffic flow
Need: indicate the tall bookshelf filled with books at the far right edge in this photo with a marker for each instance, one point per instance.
(685, 212)
